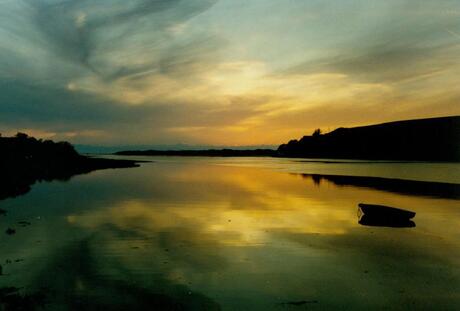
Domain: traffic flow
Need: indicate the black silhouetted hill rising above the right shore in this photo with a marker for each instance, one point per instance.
(434, 139)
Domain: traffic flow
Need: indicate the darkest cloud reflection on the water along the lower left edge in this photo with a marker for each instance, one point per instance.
(83, 283)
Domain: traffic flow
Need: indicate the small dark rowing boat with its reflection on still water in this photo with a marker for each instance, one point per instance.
(384, 216)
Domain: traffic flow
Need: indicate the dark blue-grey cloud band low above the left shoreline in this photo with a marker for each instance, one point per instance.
(60, 110)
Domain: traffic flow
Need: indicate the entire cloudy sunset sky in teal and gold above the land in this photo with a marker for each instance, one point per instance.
(222, 72)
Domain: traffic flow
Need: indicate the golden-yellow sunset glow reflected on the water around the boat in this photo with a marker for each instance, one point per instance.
(242, 206)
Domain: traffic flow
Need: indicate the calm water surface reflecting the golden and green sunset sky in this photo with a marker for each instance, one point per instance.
(235, 234)
